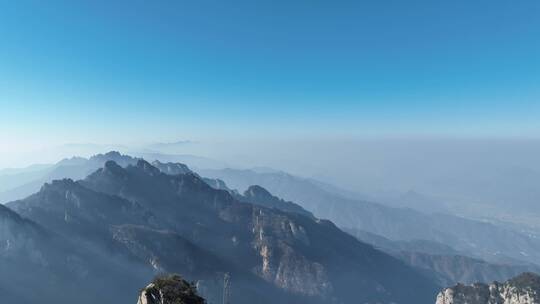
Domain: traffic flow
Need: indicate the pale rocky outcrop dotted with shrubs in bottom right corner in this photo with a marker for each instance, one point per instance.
(523, 289)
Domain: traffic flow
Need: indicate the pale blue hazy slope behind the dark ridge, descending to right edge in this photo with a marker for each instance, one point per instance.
(480, 239)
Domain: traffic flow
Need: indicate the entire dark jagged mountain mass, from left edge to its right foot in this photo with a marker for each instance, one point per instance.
(130, 216)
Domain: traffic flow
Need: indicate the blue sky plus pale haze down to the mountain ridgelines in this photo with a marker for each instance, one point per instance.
(370, 97)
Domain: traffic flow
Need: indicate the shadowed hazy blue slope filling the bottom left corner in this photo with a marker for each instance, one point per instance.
(38, 265)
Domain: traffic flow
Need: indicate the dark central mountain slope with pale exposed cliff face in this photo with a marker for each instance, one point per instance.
(292, 252)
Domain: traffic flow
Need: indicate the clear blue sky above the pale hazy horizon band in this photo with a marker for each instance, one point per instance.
(106, 71)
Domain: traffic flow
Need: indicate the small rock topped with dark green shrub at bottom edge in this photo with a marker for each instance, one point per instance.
(170, 289)
